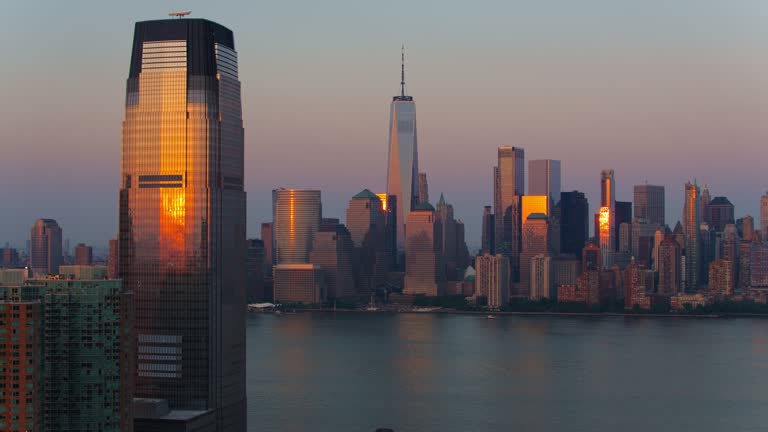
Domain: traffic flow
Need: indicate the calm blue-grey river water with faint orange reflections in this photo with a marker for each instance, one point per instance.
(350, 372)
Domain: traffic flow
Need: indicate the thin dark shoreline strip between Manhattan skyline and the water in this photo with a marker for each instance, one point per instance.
(521, 313)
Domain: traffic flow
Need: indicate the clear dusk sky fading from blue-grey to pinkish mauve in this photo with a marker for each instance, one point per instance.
(661, 90)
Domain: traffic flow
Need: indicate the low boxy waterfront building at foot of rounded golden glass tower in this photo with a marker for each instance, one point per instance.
(299, 283)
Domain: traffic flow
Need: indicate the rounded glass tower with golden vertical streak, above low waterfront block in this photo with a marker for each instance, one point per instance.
(296, 218)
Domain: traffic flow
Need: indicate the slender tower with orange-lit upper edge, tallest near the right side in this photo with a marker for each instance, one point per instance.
(691, 223)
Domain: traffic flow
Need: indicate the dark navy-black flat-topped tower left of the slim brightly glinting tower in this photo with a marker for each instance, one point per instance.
(574, 222)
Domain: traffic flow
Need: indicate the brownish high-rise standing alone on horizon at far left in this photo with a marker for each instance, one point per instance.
(45, 254)
